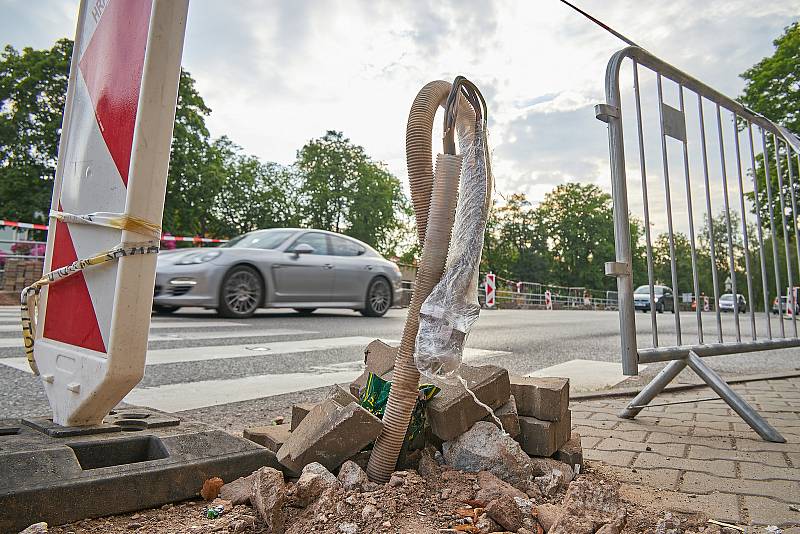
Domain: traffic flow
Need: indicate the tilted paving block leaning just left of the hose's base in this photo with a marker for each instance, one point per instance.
(329, 434)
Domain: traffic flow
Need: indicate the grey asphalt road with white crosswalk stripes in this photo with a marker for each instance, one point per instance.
(234, 373)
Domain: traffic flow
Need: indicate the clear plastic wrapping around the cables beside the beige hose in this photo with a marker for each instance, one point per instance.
(449, 312)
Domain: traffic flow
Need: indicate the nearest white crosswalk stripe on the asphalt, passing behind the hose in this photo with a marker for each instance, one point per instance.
(193, 395)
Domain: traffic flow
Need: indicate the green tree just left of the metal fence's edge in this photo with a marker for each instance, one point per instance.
(579, 224)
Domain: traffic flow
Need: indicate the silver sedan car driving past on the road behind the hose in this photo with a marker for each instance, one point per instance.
(277, 268)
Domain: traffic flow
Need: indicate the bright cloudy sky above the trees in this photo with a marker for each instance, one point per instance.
(277, 73)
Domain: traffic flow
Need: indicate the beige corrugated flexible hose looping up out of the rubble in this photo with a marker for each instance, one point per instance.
(434, 197)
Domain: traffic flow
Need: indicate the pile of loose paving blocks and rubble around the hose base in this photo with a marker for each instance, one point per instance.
(503, 480)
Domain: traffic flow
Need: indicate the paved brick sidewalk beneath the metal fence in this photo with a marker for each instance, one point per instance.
(701, 457)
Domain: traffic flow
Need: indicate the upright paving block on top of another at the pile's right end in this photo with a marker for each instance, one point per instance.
(545, 398)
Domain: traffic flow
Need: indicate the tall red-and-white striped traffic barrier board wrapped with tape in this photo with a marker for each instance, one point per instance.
(113, 158)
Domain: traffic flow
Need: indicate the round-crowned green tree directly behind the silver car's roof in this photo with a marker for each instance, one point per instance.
(343, 190)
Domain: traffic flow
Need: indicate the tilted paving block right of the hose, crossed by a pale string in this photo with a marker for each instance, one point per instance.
(453, 411)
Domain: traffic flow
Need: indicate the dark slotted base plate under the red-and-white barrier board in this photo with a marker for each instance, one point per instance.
(65, 479)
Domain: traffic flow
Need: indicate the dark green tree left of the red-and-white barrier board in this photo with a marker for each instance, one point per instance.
(33, 87)
